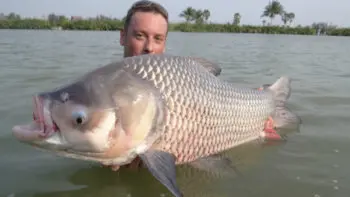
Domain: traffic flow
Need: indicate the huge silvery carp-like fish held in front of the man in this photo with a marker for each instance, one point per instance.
(163, 109)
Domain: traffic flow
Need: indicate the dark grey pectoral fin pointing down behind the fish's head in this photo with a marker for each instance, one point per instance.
(162, 167)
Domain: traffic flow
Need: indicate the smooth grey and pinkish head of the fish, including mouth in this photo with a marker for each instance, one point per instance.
(96, 119)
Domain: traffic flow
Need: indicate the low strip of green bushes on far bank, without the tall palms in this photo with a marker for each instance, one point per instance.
(115, 25)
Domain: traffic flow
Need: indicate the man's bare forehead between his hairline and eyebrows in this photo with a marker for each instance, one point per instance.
(149, 22)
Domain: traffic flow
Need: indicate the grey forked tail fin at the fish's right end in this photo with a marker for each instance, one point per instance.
(283, 117)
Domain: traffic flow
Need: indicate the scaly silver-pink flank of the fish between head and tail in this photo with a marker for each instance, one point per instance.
(205, 114)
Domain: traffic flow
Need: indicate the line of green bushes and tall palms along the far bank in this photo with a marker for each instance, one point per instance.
(195, 20)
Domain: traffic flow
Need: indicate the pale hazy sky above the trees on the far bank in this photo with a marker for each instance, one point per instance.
(222, 11)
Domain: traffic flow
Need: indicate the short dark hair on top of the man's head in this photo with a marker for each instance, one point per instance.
(145, 6)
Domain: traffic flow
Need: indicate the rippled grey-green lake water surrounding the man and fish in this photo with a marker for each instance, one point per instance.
(312, 163)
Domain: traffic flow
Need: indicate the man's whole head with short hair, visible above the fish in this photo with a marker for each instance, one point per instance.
(145, 29)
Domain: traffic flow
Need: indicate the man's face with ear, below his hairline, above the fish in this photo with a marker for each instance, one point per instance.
(146, 33)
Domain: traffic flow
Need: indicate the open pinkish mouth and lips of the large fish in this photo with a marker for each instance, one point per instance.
(42, 126)
